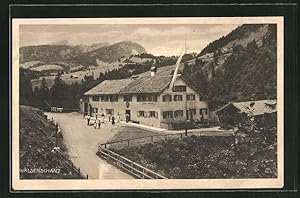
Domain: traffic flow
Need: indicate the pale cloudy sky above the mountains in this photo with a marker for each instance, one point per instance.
(157, 39)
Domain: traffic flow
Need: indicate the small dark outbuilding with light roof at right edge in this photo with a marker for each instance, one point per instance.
(258, 114)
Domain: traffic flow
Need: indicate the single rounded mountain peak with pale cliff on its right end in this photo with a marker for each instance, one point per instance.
(110, 53)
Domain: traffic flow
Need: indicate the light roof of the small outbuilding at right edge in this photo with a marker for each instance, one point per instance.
(254, 108)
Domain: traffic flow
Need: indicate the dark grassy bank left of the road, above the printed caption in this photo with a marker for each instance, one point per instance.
(36, 143)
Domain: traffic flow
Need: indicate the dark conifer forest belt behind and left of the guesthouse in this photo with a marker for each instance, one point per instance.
(68, 95)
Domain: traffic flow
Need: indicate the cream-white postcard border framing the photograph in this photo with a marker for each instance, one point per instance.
(136, 184)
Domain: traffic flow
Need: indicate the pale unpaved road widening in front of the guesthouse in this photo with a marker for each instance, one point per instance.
(82, 142)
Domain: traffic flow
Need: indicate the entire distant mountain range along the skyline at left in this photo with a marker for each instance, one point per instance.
(80, 54)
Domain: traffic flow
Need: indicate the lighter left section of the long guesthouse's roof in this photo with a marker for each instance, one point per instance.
(109, 87)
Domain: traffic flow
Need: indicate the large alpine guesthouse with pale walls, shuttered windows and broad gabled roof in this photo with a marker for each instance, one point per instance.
(159, 98)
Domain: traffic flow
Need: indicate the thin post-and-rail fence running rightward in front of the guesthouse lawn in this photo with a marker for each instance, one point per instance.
(159, 138)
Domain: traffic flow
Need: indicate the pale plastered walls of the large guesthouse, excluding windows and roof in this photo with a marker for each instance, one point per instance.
(159, 106)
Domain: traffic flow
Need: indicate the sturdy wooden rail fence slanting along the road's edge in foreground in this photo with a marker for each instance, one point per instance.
(127, 165)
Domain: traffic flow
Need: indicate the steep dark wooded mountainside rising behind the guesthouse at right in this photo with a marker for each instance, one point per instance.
(238, 67)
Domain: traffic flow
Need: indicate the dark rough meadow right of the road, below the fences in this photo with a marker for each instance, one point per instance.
(207, 157)
